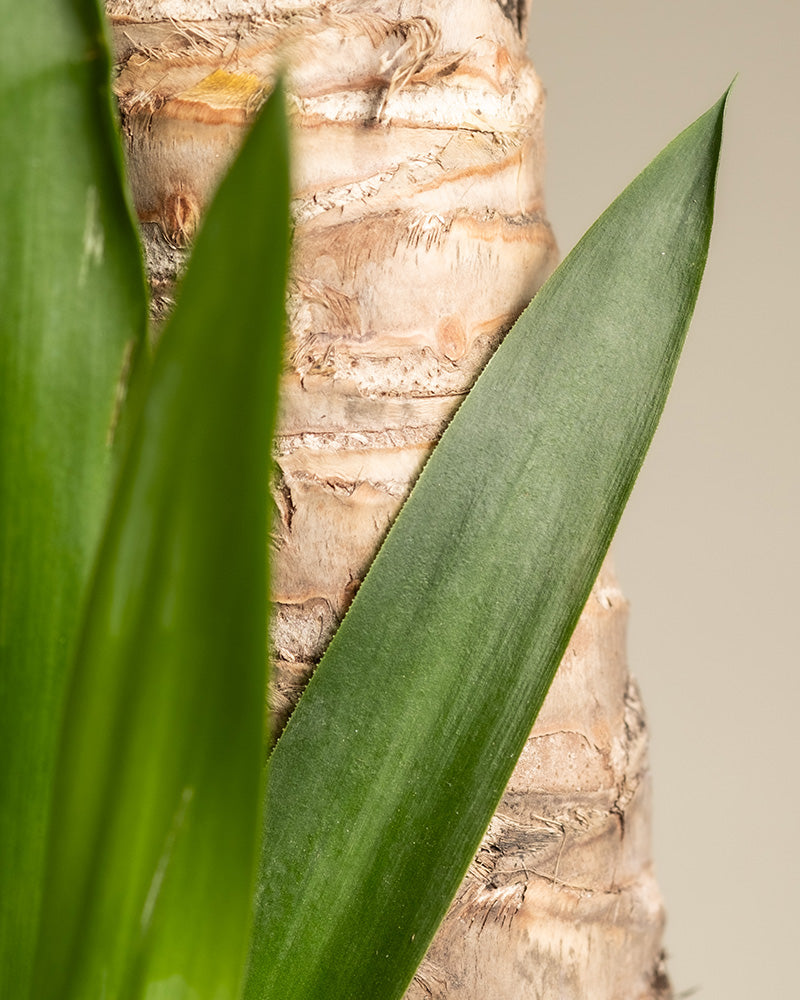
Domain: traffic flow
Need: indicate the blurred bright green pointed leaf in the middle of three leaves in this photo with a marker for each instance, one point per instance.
(157, 798)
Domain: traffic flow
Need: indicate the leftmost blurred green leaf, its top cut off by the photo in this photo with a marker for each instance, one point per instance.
(73, 305)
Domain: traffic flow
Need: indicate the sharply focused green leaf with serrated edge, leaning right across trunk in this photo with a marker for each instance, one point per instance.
(394, 761)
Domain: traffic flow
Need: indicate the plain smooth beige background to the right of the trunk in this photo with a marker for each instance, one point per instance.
(707, 550)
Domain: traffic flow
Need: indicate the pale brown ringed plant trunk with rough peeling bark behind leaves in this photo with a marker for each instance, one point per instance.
(420, 236)
